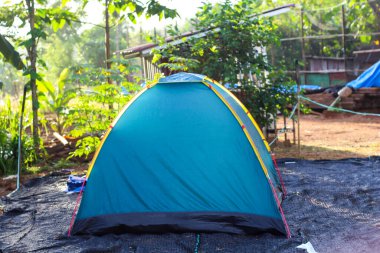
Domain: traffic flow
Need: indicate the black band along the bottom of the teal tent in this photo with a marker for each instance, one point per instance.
(161, 222)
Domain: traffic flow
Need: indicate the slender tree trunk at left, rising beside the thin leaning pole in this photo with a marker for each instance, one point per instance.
(32, 52)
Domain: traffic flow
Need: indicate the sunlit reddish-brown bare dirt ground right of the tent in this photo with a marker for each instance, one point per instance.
(333, 136)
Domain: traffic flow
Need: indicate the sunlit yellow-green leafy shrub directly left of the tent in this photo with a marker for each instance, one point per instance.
(94, 109)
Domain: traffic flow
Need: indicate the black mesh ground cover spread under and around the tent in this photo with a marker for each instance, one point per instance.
(333, 204)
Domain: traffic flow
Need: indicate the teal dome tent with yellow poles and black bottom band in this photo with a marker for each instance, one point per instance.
(176, 160)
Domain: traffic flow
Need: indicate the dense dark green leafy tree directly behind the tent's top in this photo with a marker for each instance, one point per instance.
(233, 52)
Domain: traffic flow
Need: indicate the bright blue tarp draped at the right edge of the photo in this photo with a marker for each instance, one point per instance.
(369, 78)
